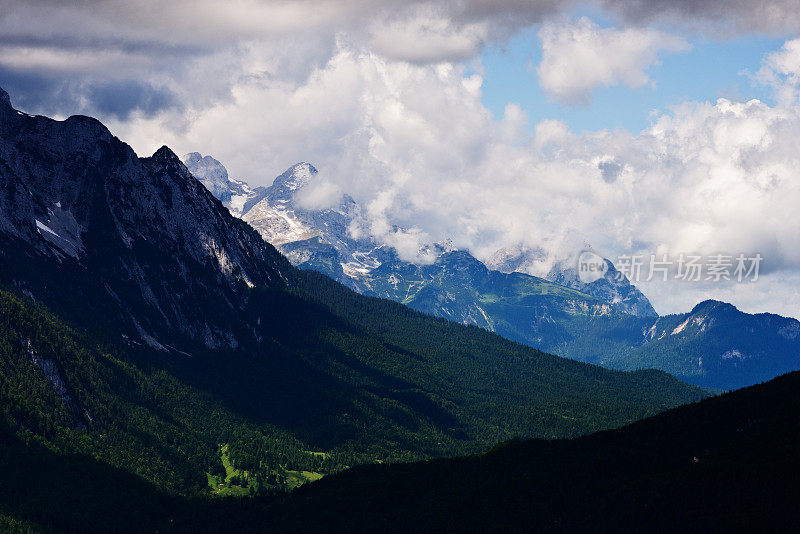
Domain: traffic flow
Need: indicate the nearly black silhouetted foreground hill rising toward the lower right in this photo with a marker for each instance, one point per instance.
(723, 464)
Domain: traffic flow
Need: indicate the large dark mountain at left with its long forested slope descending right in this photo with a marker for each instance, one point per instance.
(149, 340)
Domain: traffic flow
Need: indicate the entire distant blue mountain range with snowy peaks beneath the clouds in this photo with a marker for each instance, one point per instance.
(607, 321)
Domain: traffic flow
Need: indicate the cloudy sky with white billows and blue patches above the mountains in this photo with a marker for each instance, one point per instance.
(660, 127)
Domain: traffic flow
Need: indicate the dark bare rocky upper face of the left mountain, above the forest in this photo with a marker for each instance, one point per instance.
(78, 207)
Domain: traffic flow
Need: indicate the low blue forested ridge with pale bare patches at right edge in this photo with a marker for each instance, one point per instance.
(715, 345)
